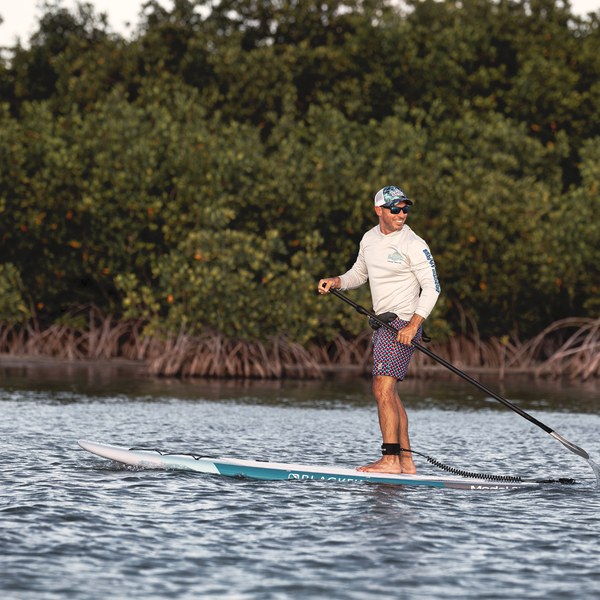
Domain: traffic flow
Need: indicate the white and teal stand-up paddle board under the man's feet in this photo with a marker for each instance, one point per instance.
(272, 471)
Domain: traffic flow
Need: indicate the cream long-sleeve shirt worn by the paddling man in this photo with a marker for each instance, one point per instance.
(398, 266)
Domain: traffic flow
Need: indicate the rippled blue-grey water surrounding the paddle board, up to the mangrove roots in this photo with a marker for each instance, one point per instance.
(73, 525)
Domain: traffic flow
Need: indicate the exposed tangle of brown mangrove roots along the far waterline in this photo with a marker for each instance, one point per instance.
(122, 345)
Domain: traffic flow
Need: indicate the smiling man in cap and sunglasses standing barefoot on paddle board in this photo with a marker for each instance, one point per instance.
(404, 284)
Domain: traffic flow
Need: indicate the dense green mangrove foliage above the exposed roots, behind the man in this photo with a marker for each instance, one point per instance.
(205, 173)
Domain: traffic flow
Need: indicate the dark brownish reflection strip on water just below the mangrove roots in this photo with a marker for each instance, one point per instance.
(69, 382)
